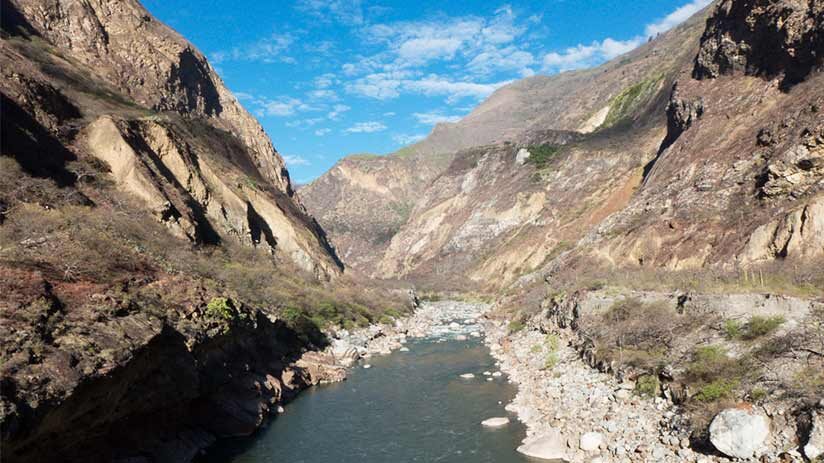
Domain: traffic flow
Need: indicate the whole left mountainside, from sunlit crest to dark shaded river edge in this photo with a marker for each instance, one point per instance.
(161, 283)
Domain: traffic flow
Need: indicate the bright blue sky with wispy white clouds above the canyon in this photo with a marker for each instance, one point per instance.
(329, 78)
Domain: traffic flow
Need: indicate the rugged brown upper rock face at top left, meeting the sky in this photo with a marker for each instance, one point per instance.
(151, 64)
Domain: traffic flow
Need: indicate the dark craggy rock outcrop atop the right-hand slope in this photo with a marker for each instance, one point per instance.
(763, 37)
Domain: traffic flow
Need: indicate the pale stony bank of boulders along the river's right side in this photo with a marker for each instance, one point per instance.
(576, 413)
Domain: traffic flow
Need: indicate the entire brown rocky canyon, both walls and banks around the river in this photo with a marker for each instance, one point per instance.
(647, 238)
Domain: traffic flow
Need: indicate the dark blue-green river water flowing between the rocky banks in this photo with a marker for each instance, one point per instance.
(409, 407)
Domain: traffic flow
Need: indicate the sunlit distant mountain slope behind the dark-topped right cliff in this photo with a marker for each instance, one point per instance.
(472, 219)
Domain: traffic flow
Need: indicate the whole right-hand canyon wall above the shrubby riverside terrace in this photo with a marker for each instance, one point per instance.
(697, 150)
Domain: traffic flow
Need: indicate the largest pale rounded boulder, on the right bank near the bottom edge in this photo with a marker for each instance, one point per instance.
(739, 433)
